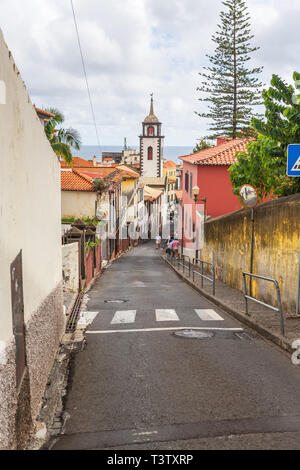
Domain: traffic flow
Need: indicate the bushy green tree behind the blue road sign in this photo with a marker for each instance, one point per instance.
(264, 165)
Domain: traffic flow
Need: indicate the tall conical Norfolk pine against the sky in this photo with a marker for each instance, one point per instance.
(232, 88)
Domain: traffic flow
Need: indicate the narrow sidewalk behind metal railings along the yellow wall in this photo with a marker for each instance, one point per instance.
(264, 321)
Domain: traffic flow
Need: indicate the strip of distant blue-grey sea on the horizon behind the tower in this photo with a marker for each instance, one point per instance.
(88, 151)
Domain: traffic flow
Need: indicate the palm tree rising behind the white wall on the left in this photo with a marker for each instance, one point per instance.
(61, 140)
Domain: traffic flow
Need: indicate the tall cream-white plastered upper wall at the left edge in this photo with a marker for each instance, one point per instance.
(30, 201)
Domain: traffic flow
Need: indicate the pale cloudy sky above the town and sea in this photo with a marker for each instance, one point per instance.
(133, 48)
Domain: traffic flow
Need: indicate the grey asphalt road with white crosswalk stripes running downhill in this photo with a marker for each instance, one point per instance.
(137, 385)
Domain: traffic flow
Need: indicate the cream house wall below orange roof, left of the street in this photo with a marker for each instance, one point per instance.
(78, 204)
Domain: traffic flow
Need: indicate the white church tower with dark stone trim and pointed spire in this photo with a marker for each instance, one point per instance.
(151, 146)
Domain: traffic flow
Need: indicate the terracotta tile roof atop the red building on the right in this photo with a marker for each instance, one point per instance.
(223, 154)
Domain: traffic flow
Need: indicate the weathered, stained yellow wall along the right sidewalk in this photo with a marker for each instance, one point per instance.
(276, 246)
